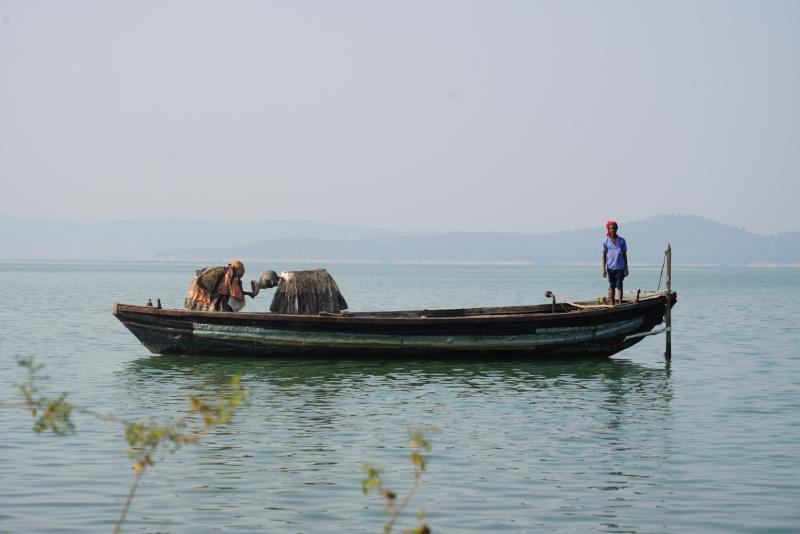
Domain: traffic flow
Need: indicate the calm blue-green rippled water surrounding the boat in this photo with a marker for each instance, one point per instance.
(708, 444)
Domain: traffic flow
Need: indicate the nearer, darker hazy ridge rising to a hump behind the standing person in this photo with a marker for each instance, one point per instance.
(695, 240)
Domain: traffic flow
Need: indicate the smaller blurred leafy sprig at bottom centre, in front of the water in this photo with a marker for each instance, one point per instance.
(419, 445)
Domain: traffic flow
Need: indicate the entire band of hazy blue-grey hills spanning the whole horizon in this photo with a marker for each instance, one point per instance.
(695, 240)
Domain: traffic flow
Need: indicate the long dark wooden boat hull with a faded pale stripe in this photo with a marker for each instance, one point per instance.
(581, 329)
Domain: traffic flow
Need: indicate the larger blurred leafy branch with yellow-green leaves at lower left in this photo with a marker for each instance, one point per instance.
(54, 414)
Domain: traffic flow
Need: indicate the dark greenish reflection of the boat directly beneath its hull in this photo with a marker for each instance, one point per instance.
(616, 375)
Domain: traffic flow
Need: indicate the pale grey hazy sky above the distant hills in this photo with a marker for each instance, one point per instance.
(493, 115)
